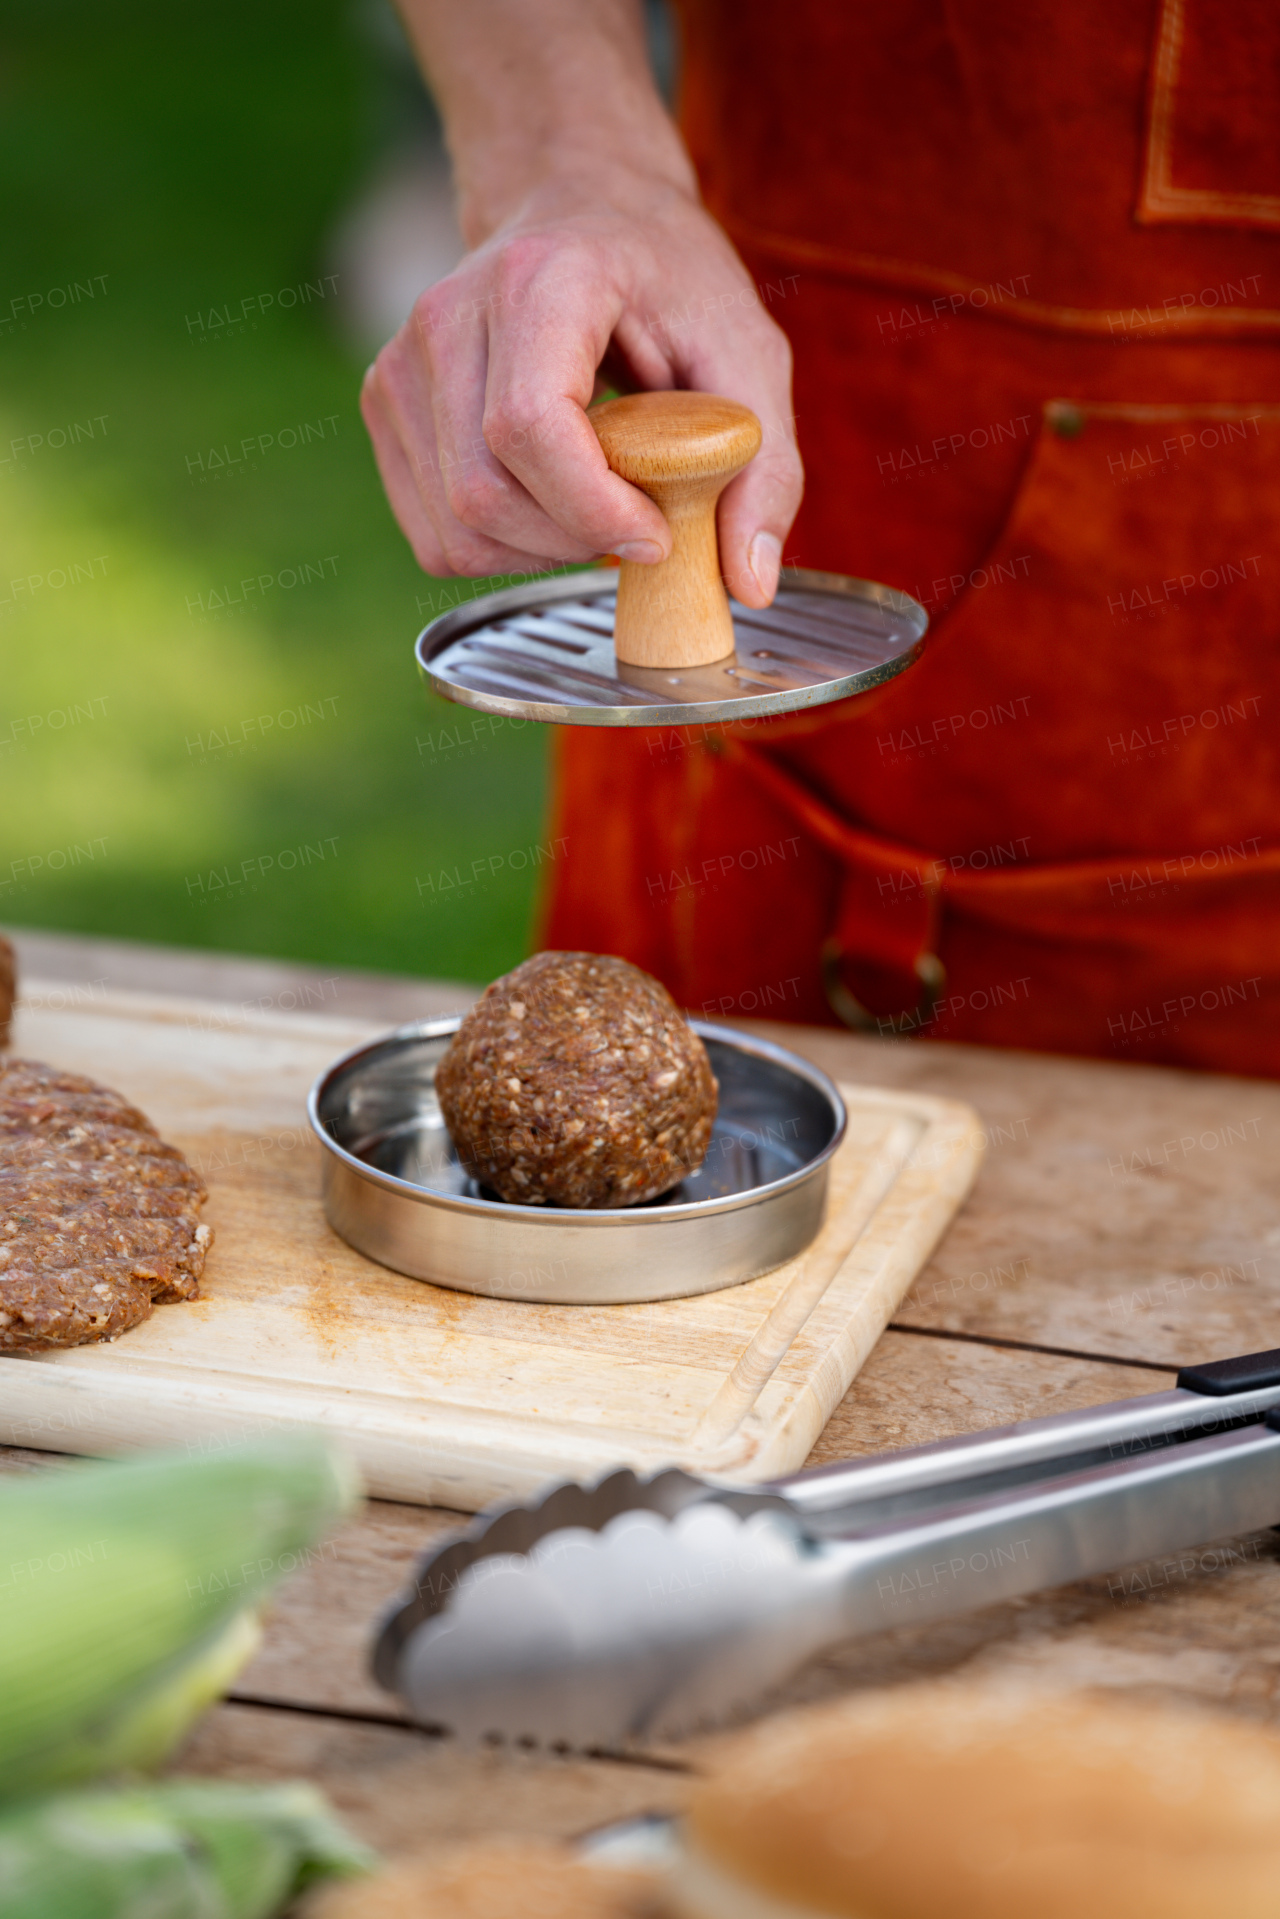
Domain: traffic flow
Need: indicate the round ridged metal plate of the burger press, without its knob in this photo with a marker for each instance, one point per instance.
(546, 652)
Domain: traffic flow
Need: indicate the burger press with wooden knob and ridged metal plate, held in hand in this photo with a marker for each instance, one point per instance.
(665, 646)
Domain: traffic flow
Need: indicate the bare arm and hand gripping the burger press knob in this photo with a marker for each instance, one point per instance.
(588, 235)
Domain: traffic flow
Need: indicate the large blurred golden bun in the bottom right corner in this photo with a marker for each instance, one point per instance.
(945, 1803)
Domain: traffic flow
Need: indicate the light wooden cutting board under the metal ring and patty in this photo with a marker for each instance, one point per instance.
(444, 1398)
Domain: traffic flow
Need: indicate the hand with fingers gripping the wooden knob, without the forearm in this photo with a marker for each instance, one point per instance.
(477, 410)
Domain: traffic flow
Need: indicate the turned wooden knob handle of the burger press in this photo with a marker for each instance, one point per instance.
(682, 450)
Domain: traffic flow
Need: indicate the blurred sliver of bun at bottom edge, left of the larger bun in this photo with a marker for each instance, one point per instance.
(492, 1882)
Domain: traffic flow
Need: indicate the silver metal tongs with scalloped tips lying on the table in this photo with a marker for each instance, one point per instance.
(648, 1609)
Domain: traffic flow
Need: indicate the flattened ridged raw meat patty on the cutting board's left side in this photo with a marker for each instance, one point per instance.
(99, 1218)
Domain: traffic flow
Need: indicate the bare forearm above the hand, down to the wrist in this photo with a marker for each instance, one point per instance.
(544, 91)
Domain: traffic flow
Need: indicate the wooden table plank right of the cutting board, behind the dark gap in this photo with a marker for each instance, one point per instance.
(1122, 1210)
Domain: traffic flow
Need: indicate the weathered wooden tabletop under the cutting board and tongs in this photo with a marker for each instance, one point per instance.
(1089, 1233)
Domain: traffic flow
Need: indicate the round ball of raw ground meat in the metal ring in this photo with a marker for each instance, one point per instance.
(577, 1081)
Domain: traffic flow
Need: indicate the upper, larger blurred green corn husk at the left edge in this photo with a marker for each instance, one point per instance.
(130, 1592)
